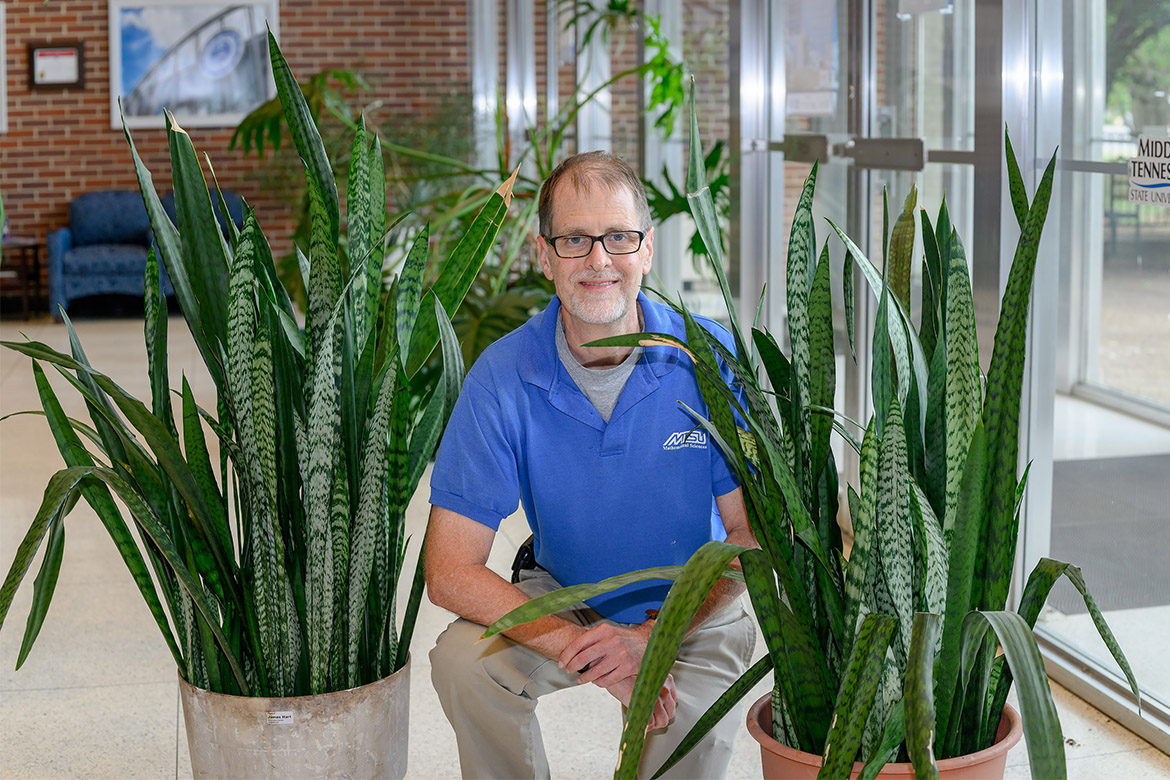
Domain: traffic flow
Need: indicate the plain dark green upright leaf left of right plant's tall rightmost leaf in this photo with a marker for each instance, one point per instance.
(962, 589)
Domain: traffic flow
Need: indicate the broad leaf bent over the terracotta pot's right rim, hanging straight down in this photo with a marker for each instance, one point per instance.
(1042, 723)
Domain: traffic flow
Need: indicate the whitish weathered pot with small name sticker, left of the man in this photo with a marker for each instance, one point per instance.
(361, 733)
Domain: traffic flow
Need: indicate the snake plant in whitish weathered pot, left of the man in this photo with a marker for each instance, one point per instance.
(272, 576)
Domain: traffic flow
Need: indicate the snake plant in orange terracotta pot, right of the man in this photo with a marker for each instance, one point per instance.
(885, 653)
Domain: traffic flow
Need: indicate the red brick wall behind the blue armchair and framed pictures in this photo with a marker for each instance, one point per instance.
(60, 143)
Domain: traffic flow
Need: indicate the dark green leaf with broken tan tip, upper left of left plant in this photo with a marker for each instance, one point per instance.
(203, 244)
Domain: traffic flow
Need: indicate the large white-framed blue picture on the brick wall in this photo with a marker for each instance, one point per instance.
(207, 61)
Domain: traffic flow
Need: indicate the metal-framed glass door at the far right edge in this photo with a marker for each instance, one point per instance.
(1111, 343)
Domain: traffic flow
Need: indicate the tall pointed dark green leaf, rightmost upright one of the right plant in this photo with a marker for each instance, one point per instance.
(1002, 409)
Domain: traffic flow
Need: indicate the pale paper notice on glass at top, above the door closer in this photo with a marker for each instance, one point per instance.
(811, 58)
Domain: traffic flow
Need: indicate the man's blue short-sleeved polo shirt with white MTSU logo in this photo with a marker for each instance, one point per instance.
(602, 499)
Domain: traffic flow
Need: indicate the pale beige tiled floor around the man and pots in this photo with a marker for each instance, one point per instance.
(98, 698)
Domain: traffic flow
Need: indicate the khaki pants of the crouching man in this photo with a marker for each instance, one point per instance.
(488, 692)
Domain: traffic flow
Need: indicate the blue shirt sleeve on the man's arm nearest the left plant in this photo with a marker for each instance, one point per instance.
(476, 472)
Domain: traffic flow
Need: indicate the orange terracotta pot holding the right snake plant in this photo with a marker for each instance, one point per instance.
(782, 763)
